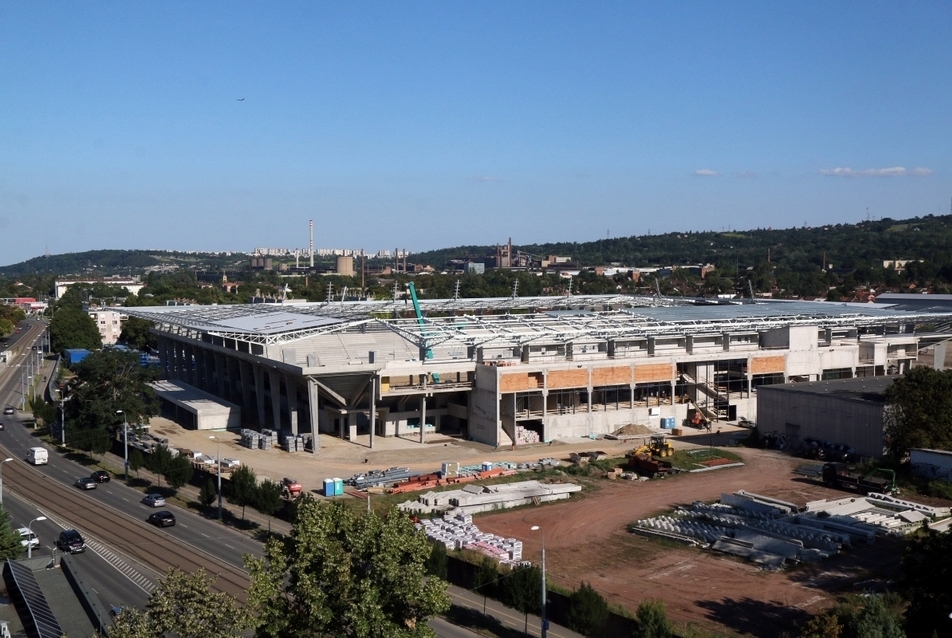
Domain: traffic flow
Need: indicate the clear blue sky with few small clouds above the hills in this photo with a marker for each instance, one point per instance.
(420, 125)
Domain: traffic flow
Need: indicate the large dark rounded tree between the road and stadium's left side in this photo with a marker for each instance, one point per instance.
(107, 382)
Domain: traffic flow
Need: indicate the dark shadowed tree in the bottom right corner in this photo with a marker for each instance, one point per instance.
(924, 581)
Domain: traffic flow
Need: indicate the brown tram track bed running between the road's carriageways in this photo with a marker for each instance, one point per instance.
(149, 546)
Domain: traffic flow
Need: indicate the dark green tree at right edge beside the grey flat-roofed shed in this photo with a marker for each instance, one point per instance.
(920, 411)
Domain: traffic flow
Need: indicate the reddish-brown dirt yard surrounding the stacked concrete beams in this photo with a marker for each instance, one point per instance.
(586, 540)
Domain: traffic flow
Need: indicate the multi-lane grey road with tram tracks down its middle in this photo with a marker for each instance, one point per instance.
(125, 556)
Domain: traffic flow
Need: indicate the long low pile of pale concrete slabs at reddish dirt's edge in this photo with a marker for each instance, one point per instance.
(483, 498)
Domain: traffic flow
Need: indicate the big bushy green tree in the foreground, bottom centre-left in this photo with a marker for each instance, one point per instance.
(341, 573)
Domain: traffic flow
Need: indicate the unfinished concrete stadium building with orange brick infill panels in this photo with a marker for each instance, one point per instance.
(519, 370)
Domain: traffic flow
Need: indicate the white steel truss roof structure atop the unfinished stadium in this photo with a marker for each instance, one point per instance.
(517, 321)
